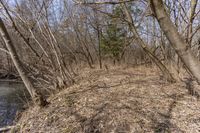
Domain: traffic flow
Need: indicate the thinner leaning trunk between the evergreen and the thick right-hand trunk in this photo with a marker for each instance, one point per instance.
(167, 75)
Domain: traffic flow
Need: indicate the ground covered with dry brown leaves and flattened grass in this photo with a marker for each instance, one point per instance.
(118, 100)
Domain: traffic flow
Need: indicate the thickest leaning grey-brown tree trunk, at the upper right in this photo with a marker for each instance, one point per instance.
(176, 40)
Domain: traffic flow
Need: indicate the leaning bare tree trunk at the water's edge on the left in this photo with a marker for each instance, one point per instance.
(36, 96)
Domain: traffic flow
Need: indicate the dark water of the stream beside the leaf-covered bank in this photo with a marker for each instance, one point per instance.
(12, 98)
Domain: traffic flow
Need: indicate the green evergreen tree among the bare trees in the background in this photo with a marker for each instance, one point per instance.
(113, 40)
